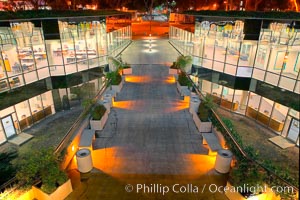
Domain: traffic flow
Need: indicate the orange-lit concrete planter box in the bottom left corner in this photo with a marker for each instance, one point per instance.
(60, 193)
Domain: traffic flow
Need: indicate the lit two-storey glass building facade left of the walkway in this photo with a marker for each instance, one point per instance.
(48, 65)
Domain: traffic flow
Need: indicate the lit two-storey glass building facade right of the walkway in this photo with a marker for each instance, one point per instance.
(248, 66)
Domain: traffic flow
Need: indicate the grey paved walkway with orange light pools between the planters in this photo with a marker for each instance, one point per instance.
(151, 142)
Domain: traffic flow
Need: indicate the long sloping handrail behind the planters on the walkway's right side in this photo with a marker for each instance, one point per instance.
(245, 155)
